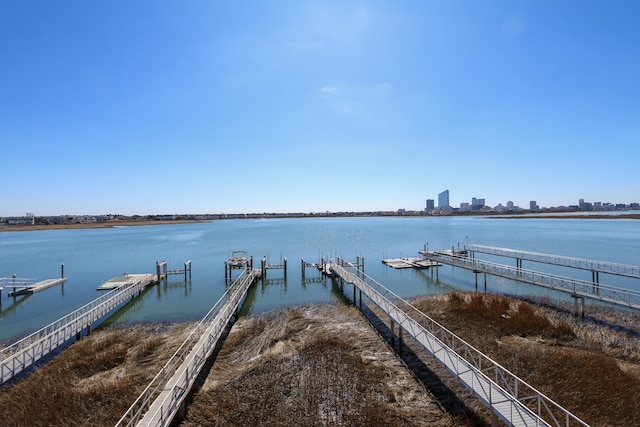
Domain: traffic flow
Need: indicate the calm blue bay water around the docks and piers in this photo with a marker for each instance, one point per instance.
(92, 256)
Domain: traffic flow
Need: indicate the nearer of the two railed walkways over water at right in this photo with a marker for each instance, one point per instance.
(578, 288)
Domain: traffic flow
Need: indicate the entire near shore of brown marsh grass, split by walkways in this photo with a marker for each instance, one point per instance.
(320, 361)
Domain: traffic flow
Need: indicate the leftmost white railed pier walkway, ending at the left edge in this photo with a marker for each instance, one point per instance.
(24, 353)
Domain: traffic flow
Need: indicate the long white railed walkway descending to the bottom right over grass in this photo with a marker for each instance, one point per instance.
(509, 398)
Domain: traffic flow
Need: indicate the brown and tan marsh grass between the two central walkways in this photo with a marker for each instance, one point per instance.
(311, 367)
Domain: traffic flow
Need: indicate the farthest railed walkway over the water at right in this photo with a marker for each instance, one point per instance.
(584, 264)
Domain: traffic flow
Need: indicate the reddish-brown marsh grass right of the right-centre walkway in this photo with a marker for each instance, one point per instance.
(587, 373)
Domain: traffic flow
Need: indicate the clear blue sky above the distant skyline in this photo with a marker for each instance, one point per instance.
(143, 107)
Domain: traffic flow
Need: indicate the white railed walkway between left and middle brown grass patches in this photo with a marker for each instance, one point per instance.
(165, 396)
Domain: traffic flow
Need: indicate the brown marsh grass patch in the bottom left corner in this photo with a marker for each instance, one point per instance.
(94, 381)
